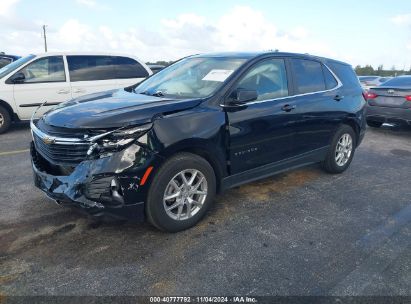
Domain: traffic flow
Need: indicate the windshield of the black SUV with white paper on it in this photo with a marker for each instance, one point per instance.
(191, 77)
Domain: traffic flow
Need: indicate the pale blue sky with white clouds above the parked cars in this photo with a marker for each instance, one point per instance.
(358, 32)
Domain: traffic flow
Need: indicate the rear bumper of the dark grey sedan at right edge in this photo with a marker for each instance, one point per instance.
(387, 114)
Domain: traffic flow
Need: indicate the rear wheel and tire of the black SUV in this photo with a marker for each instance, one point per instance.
(342, 150)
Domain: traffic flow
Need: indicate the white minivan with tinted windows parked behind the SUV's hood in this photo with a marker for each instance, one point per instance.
(57, 77)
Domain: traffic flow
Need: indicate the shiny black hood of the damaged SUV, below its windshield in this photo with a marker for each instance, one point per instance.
(111, 109)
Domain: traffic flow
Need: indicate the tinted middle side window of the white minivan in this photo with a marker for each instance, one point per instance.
(89, 68)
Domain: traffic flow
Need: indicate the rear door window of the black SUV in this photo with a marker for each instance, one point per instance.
(308, 76)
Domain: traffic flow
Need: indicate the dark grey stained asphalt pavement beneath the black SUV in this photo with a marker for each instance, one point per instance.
(304, 232)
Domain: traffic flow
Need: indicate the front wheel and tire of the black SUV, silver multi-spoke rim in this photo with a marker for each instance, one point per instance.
(181, 193)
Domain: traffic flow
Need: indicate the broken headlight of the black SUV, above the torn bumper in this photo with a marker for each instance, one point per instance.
(118, 139)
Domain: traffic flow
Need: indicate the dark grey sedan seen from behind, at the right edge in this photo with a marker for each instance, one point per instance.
(390, 102)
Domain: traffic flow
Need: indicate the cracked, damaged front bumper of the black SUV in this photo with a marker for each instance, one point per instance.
(104, 186)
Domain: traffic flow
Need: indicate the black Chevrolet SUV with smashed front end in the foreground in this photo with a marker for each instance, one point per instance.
(163, 148)
